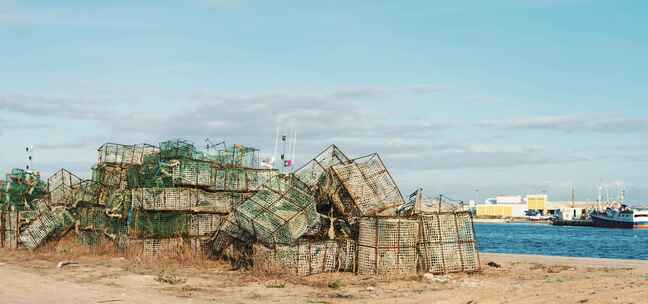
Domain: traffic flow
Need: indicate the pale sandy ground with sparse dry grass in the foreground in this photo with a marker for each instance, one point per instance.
(520, 279)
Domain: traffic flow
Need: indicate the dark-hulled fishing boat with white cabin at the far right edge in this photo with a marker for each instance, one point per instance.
(622, 217)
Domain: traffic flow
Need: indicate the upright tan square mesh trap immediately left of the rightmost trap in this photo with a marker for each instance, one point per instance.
(387, 245)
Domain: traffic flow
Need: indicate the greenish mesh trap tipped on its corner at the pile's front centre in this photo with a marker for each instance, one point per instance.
(278, 214)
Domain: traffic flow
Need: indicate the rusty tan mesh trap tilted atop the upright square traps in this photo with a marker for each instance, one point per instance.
(369, 184)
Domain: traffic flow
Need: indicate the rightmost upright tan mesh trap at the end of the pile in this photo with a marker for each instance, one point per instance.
(447, 243)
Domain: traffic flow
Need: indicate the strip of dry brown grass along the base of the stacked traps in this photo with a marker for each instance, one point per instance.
(173, 265)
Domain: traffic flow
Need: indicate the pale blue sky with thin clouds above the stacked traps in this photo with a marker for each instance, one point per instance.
(469, 99)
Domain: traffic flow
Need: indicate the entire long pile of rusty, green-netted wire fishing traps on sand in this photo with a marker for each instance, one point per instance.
(333, 214)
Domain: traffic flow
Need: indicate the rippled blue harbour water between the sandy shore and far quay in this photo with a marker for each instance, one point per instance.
(563, 241)
